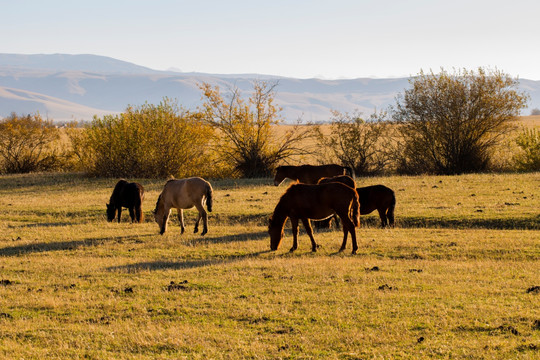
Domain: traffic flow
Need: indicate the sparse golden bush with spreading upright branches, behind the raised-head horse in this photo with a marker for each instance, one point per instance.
(247, 138)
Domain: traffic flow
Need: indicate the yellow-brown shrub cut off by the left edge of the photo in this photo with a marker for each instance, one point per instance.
(28, 143)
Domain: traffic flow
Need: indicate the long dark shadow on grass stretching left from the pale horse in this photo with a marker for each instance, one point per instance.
(62, 245)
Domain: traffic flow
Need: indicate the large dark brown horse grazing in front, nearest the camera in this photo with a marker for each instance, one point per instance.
(305, 202)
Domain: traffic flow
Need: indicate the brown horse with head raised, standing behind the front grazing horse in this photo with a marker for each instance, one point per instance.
(309, 174)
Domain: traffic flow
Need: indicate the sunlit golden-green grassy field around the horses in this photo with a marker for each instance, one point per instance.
(457, 278)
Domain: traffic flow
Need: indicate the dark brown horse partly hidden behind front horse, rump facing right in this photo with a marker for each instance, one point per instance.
(375, 197)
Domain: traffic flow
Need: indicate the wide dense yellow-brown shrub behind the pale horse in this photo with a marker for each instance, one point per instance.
(146, 141)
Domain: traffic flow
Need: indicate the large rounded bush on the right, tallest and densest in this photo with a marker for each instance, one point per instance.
(450, 122)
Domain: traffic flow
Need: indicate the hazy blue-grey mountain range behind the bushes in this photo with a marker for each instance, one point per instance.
(77, 87)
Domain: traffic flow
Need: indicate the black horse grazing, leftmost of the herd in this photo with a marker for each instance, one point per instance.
(128, 195)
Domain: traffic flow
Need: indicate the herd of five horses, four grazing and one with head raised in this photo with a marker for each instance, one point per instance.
(321, 192)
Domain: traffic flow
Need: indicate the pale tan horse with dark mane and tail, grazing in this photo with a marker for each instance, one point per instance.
(184, 194)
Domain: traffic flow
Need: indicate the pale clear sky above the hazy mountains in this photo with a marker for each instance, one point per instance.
(333, 39)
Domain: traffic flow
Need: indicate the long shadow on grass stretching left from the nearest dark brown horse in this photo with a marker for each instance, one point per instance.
(159, 265)
